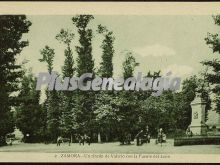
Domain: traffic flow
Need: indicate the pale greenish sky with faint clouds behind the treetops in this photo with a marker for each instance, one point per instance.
(166, 43)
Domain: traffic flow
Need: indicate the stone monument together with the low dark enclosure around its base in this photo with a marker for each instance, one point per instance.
(199, 127)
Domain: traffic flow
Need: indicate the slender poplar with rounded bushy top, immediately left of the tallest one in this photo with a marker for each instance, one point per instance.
(68, 97)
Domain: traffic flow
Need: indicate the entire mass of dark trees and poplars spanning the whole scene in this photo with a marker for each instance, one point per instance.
(103, 115)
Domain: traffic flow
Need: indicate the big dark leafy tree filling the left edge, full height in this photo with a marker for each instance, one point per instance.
(12, 28)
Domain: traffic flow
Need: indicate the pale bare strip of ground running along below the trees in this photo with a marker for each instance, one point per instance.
(166, 148)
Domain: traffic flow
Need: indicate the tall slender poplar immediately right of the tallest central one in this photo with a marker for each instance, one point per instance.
(105, 113)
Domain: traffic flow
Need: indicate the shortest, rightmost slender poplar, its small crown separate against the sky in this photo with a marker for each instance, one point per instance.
(127, 101)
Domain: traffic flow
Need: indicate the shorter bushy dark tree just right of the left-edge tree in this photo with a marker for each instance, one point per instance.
(29, 115)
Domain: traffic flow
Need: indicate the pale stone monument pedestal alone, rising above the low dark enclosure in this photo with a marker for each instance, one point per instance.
(198, 126)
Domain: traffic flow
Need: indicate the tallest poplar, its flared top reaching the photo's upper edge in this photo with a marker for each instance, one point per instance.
(85, 64)
